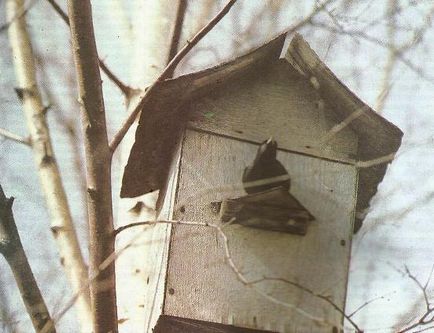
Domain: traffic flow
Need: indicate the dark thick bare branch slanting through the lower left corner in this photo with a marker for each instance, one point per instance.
(12, 249)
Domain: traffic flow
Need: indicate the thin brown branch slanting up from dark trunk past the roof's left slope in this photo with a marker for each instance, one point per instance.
(166, 73)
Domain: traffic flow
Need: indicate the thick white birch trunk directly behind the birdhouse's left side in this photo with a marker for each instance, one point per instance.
(144, 263)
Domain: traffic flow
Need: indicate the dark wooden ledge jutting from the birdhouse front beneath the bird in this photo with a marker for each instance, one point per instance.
(275, 210)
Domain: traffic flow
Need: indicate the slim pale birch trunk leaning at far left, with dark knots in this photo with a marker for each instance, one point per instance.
(49, 175)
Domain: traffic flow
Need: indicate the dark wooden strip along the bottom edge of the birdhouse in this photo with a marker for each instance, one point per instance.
(169, 324)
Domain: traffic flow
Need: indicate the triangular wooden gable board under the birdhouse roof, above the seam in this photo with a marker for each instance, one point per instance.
(274, 101)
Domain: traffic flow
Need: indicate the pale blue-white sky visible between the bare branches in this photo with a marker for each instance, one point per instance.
(397, 232)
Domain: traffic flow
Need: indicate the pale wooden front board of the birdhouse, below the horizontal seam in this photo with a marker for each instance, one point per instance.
(200, 283)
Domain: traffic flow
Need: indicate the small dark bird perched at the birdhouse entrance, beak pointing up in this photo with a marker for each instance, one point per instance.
(265, 167)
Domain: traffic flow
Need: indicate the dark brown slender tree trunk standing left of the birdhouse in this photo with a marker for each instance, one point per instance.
(98, 167)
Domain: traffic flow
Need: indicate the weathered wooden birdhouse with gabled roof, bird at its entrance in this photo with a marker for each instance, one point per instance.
(274, 259)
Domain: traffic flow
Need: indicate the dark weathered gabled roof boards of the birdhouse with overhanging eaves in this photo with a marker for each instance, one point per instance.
(161, 125)
